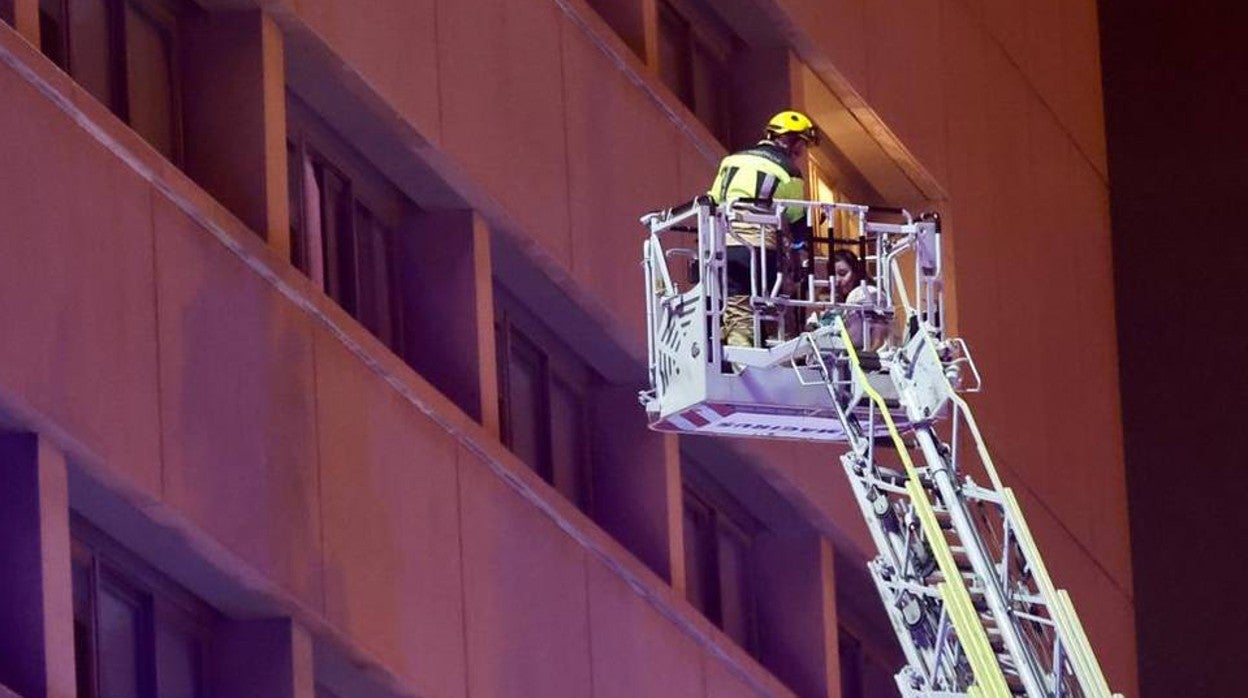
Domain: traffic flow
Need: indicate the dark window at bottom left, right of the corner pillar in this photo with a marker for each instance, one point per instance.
(137, 635)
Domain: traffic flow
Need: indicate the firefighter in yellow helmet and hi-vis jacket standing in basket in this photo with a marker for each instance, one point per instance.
(769, 170)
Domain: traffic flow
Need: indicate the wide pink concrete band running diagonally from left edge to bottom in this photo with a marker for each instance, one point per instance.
(214, 380)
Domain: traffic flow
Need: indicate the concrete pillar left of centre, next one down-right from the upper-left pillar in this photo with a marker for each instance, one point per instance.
(447, 292)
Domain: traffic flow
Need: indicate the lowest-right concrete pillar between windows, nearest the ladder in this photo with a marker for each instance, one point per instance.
(797, 605)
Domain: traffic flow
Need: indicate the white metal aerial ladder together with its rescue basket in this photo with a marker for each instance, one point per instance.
(967, 590)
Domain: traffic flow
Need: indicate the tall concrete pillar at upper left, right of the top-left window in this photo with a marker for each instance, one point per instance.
(235, 118)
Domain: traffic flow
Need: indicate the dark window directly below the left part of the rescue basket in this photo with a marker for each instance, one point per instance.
(718, 568)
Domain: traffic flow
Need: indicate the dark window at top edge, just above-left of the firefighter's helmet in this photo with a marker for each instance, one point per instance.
(695, 49)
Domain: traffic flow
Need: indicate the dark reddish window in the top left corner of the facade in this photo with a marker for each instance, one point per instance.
(123, 52)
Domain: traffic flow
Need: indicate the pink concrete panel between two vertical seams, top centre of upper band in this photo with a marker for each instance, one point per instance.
(507, 129)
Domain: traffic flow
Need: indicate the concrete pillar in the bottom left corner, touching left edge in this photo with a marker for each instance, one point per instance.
(37, 605)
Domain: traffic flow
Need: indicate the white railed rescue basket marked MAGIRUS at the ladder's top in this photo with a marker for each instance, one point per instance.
(777, 388)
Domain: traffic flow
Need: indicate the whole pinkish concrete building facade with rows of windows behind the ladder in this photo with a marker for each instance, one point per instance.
(323, 337)
